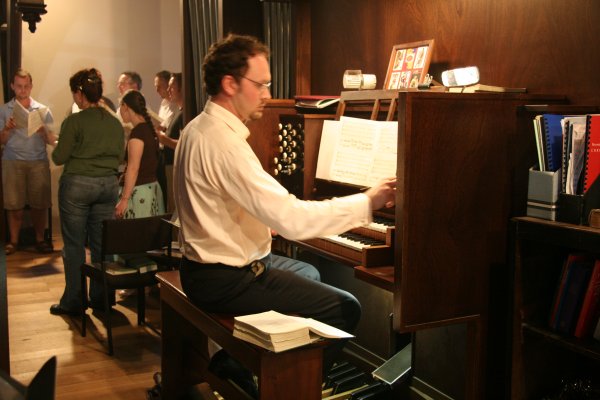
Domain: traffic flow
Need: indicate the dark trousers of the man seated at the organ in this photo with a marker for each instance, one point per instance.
(286, 285)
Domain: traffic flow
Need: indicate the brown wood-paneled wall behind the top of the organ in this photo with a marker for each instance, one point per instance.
(547, 46)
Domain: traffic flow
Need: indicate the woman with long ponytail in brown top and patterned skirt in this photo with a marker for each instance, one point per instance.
(141, 195)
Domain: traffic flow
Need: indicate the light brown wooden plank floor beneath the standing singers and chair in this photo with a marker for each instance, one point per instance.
(85, 371)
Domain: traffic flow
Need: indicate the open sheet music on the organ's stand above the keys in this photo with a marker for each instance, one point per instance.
(357, 151)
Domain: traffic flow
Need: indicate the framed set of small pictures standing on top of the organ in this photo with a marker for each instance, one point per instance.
(408, 66)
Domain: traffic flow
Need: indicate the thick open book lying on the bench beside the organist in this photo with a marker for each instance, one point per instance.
(279, 332)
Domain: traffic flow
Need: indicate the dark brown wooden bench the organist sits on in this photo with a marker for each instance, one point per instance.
(293, 374)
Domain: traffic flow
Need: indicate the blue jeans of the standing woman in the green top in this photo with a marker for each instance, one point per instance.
(84, 202)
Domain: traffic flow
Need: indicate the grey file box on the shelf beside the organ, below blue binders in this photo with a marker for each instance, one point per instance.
(542, 193)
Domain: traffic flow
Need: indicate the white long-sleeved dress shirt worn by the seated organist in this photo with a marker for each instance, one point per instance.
(227, 203)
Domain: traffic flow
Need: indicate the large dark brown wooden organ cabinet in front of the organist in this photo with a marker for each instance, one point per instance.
(462, 173)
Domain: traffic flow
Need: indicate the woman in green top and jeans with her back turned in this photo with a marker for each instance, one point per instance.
(91, 147)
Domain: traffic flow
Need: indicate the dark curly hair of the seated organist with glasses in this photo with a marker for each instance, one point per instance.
(229, 57)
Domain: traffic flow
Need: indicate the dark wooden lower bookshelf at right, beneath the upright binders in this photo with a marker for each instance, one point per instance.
(541, 358)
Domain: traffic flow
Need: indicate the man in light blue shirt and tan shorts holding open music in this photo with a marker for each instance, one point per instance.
(25, 166)
